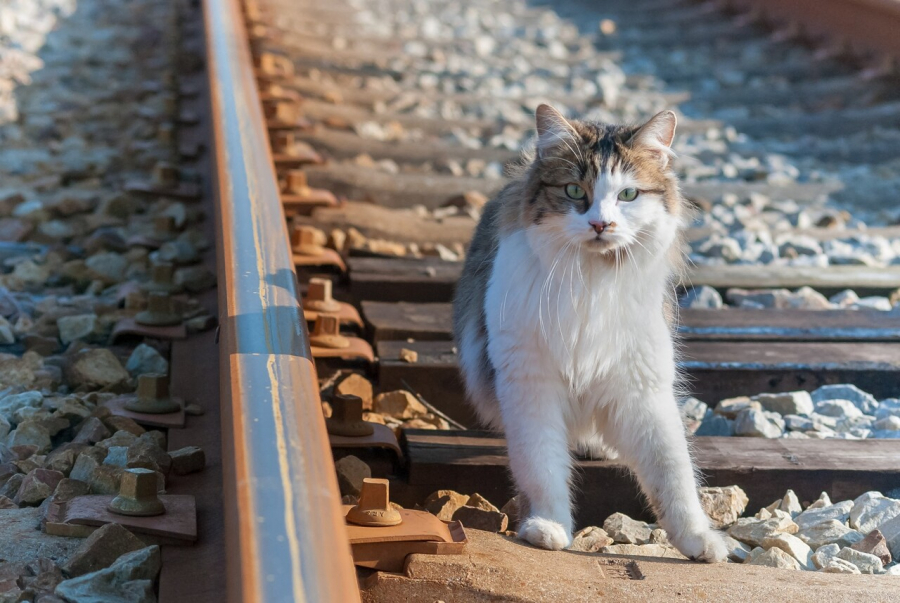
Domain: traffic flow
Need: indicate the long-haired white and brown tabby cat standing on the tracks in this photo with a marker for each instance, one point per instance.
(563, 320)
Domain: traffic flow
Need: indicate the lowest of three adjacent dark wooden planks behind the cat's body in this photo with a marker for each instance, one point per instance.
(714, 370)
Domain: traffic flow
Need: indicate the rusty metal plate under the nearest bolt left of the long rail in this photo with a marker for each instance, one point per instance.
(179, 523)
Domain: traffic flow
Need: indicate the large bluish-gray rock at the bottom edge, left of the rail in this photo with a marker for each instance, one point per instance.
(128, 580)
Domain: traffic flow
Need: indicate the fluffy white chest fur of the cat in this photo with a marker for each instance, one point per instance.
(597, 327)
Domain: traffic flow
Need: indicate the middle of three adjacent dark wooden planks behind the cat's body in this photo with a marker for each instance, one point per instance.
(433, 322)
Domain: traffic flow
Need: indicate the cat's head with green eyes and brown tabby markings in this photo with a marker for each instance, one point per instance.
(604, 187)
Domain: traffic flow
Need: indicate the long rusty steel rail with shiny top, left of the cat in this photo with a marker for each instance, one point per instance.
(285, 535)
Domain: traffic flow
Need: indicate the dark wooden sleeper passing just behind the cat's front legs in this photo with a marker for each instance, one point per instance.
(473, 461)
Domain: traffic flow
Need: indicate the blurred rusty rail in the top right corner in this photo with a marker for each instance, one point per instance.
(869, 25)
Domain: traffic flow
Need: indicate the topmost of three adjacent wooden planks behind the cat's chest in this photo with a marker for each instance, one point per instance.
(412, 279)
